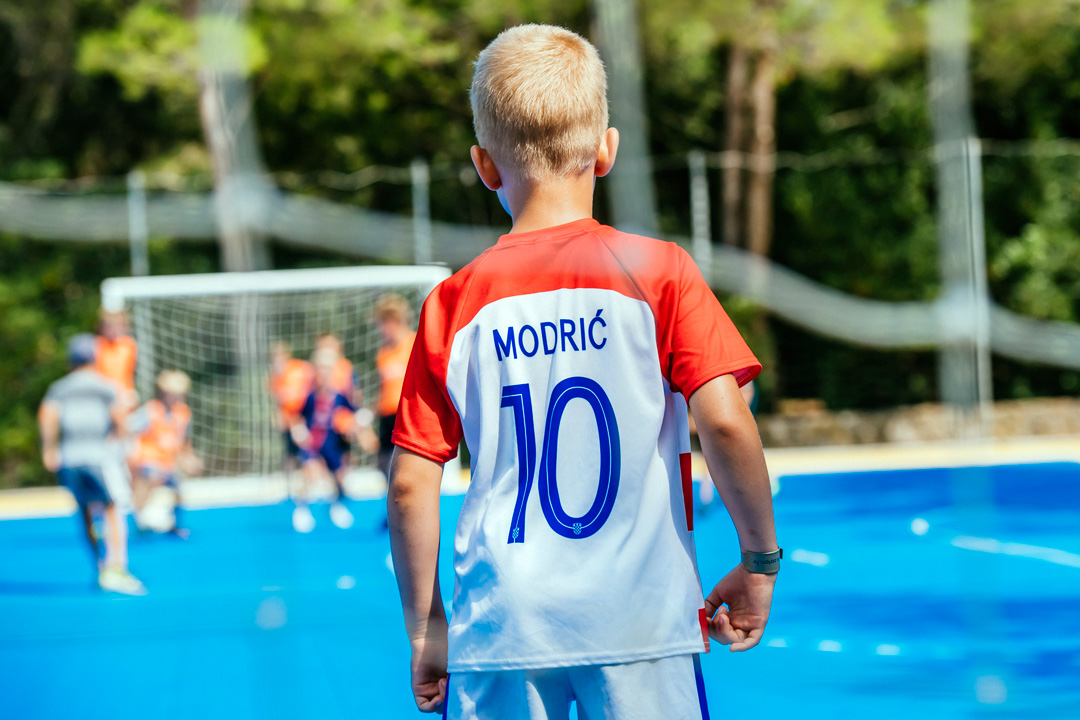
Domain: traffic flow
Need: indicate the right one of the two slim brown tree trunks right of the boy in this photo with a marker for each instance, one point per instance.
(763, 153)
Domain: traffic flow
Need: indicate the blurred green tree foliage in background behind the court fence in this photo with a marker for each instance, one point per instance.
(100, 87)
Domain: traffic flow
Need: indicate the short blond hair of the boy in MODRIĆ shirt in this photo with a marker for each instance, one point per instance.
(539, 101)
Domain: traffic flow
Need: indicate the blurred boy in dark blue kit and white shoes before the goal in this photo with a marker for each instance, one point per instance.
(322, 433)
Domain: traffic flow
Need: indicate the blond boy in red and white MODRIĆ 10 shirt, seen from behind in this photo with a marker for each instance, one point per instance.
(564, 357)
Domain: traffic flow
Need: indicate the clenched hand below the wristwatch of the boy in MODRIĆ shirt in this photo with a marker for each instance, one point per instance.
(749, 597)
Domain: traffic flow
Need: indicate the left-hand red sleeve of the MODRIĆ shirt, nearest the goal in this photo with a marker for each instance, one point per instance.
(427, 422)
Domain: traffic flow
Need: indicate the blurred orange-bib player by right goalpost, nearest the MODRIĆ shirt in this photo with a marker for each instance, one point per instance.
(393, 317)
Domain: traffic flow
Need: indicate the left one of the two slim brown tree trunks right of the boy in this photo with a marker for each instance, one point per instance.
(735, 139)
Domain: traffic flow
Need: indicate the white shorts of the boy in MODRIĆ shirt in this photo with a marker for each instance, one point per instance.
(669, 688)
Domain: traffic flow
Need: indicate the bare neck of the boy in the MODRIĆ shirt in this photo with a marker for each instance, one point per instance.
(552, 202)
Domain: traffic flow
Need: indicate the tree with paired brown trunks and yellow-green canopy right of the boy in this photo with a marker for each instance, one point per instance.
(769, 43)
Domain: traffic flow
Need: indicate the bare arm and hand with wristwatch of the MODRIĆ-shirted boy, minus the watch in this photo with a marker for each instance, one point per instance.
(736, 461)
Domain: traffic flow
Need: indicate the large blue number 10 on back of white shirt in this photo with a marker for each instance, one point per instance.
(520, 399)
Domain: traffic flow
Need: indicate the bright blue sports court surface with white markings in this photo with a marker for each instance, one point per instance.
(907, 594)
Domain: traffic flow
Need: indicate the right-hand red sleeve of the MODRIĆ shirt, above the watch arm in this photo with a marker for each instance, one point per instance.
(698, 341)
